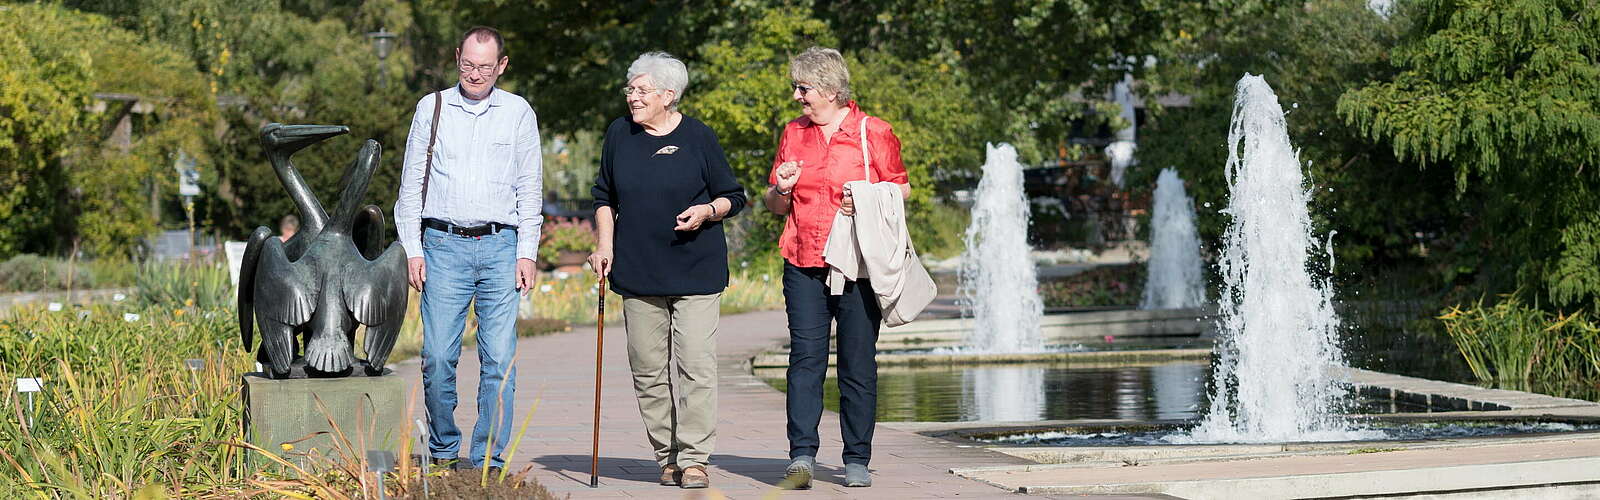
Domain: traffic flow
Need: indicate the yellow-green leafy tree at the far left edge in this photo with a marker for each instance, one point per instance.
(70, 187)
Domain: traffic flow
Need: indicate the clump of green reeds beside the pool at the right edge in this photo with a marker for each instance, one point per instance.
(1519, 347)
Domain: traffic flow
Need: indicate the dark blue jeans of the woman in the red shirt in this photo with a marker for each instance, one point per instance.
(810, 315)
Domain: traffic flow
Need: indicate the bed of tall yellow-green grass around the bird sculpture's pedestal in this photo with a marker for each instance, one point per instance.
(122, 414)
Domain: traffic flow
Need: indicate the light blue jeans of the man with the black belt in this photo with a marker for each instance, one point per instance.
(462, 268)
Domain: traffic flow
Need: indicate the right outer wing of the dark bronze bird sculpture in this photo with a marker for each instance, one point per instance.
(377, 296)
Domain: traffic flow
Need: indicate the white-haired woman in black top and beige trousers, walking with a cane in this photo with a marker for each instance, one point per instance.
(662, 195)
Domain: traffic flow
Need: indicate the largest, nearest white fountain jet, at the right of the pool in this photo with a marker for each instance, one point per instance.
(1278, 360)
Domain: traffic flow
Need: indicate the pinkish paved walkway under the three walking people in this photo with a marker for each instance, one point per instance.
(558, 374)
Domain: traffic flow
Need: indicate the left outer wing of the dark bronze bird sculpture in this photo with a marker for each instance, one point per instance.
(286, 297)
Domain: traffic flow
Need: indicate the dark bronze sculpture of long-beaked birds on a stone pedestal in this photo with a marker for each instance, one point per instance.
(310, 294)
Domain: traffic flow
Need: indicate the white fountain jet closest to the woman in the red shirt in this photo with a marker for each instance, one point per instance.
(999, 281)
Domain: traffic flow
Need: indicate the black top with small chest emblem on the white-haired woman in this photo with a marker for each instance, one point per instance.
(649, 180)
